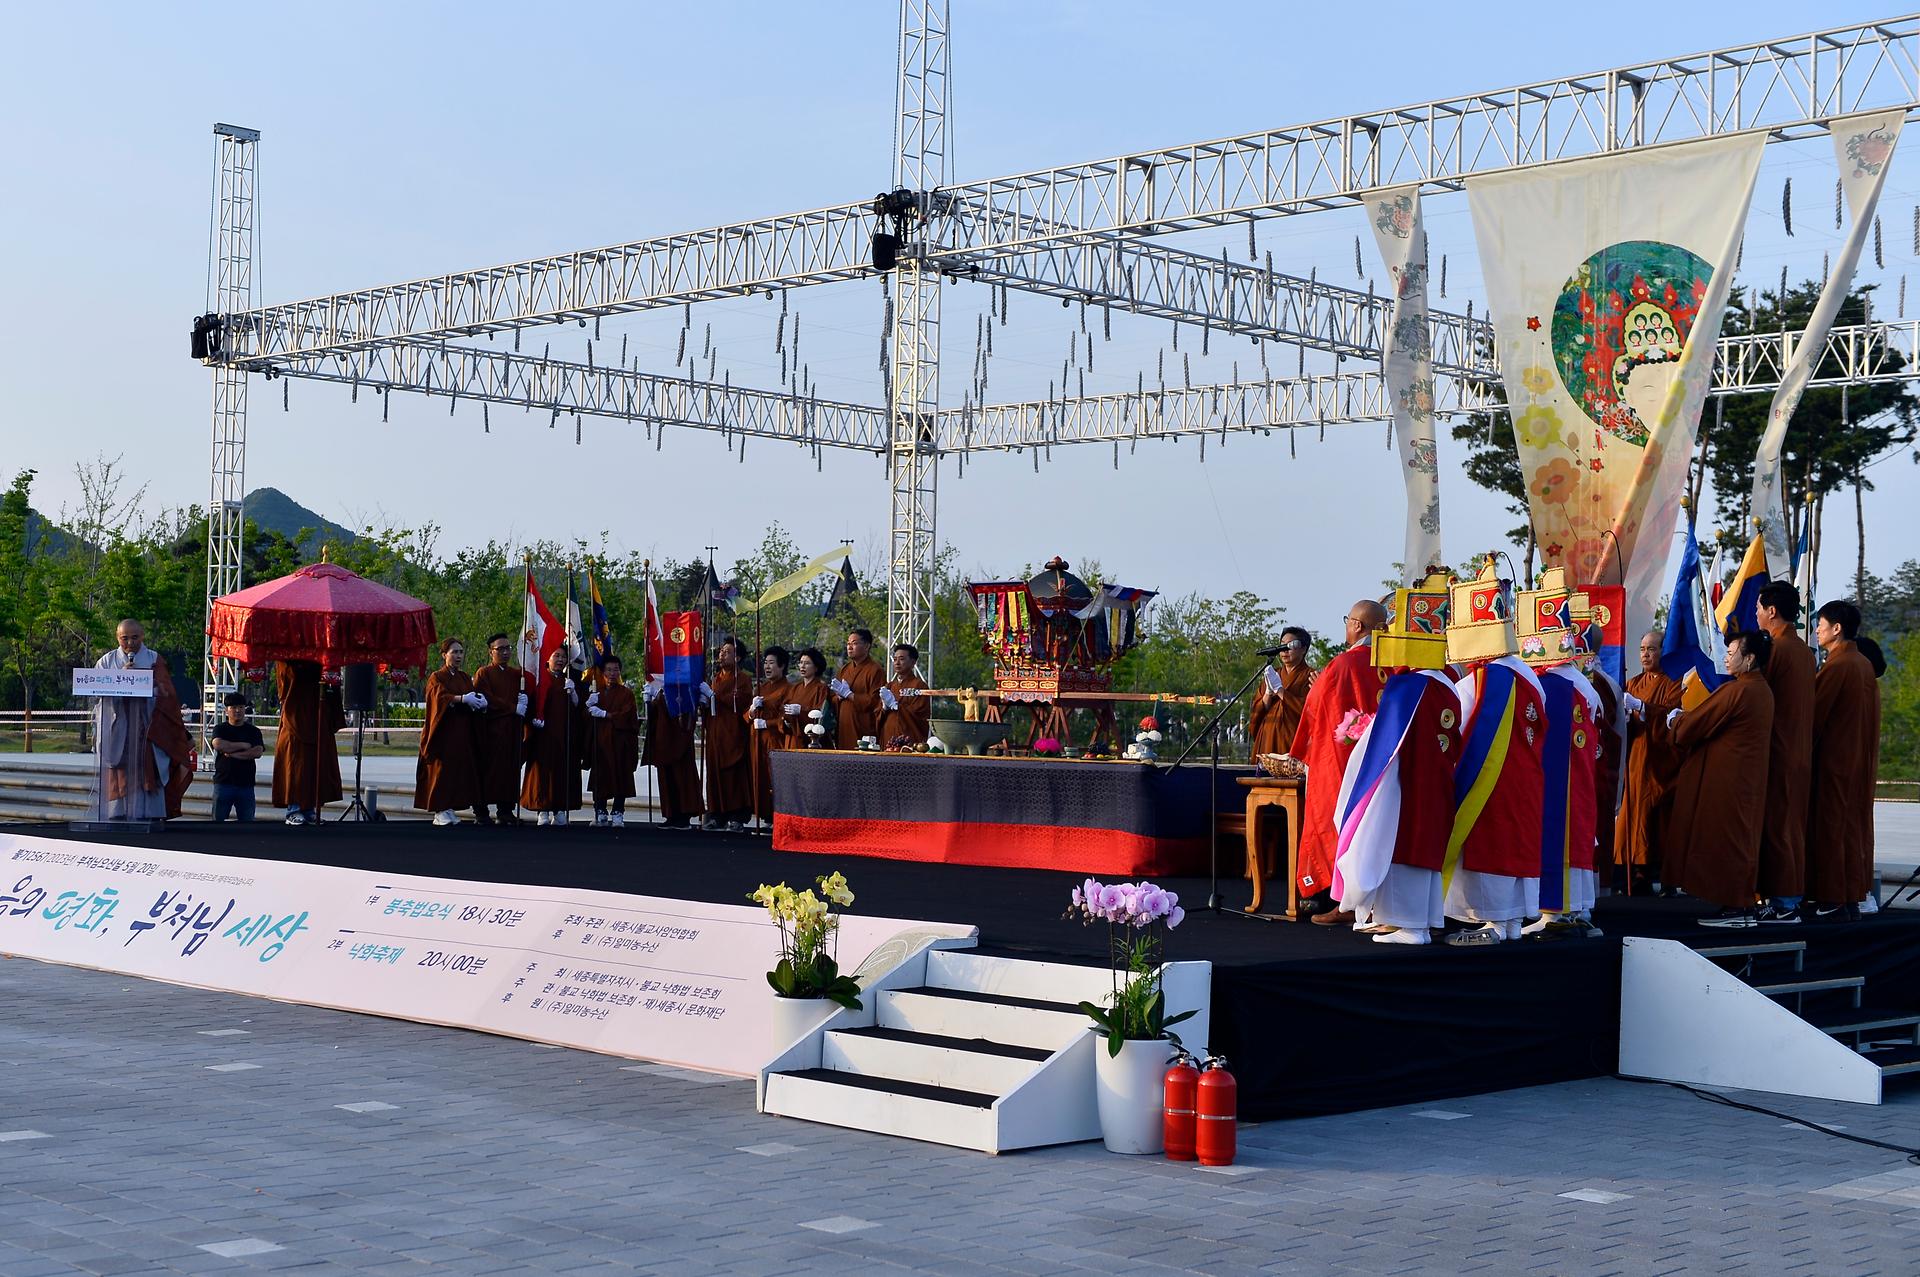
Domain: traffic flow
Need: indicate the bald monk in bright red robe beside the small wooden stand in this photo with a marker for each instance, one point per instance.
(1347, 687)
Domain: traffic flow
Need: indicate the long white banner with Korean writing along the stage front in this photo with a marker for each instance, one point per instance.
(681, 982)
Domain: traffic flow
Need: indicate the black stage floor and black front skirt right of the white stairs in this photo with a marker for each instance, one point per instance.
(1314, 1021)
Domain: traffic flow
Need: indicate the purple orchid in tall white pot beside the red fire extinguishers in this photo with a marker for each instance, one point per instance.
(1136, 1021)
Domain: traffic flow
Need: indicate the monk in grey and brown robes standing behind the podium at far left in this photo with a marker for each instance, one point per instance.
(133, 736)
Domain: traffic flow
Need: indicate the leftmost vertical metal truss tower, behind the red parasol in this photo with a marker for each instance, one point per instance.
(233, 295)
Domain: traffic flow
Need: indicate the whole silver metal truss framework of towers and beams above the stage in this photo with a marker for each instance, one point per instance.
(1078, 233)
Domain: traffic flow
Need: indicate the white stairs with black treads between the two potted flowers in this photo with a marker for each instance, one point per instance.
(969, 1051)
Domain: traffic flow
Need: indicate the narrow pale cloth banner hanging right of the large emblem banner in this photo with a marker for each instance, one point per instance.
(1863, 147)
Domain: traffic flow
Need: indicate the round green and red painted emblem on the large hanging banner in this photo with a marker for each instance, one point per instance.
(1625, 310)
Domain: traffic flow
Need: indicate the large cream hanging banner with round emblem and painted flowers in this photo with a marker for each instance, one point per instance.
(1606, 283)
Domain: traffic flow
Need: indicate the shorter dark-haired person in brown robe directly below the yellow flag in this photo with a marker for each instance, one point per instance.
(1721, 794)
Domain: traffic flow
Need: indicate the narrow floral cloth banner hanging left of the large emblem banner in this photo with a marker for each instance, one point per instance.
(1408, 372)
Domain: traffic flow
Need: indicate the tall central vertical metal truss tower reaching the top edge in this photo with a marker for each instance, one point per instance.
(915, 345)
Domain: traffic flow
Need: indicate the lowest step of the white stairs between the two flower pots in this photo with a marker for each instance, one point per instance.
(932, 1115)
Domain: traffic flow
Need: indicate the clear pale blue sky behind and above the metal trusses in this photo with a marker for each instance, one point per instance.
(404, 141)
